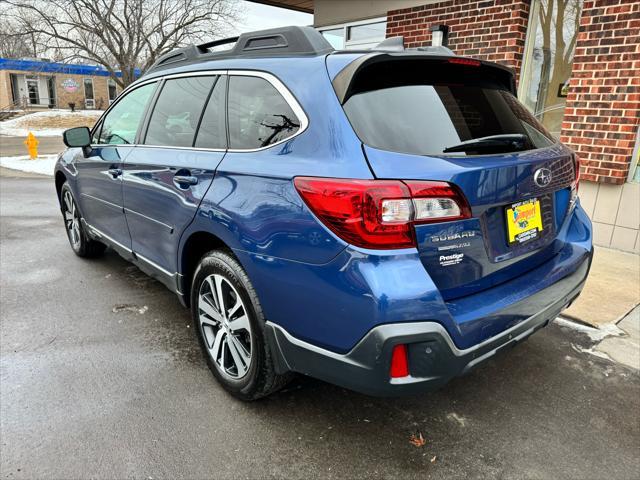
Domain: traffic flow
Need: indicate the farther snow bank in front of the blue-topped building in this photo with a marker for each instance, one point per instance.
(48, 123)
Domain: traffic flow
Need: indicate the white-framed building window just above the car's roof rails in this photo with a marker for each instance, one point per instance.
(356, 35)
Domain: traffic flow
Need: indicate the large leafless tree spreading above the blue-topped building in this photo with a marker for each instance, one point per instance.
(121, 34)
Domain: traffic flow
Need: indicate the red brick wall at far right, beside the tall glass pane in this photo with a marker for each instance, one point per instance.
(603, 104)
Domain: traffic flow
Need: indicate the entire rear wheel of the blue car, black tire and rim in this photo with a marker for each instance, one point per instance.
(234, 347)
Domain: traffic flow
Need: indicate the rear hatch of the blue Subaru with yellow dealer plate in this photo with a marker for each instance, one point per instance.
(457, 120)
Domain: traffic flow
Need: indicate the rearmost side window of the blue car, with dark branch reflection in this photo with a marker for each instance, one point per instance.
(258, 115)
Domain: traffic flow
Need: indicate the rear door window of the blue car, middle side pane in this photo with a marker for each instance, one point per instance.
(177, 112)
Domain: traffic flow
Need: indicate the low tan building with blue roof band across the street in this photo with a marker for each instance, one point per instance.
(40, 84)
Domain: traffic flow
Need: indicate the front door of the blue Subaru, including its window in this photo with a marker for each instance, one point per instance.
(100, 172)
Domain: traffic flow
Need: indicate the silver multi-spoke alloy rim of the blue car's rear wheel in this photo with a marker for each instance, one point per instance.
(225, 326)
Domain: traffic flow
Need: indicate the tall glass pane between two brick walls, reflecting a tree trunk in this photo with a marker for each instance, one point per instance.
(551, 39)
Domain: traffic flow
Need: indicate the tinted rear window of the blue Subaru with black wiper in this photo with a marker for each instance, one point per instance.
(433, 108)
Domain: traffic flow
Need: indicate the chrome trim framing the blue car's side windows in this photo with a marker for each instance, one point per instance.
(274, 81)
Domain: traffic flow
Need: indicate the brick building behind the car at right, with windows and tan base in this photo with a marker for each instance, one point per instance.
(578, 70)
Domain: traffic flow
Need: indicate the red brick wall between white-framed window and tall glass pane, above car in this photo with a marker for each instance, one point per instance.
(490, 30)
